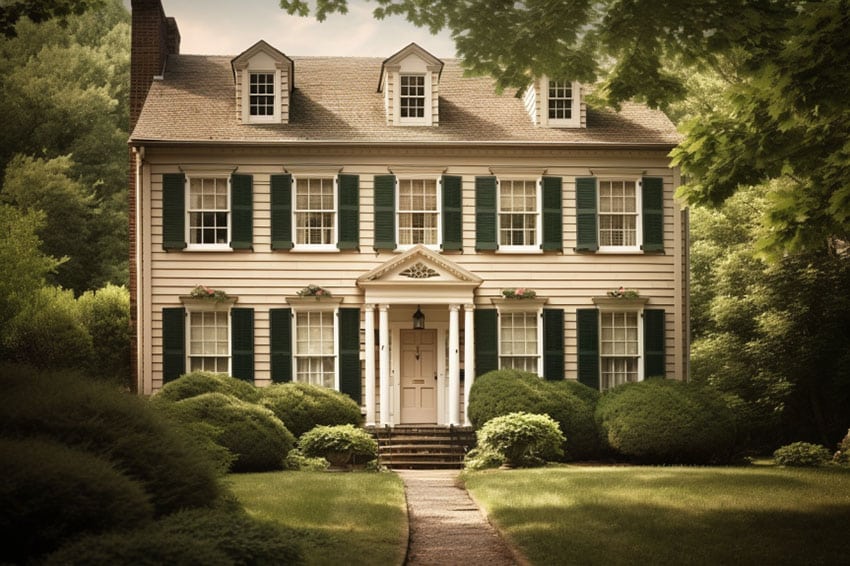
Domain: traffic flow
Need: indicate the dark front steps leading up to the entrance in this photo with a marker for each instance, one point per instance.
(423, 447)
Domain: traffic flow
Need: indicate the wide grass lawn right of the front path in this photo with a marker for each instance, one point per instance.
(644, 515)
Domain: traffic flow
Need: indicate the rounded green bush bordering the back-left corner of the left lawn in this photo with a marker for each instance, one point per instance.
(253, 434)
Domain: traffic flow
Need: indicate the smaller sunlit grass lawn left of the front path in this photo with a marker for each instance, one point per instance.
(340, 518)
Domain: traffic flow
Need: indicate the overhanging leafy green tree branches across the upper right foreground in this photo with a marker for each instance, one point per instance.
(786, 63)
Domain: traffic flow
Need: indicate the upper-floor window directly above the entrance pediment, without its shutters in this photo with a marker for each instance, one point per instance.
(418, 212)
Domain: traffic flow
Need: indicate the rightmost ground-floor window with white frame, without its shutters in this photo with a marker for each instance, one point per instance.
(619, 347)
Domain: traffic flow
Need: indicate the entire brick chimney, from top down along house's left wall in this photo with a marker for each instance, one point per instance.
(154, 37)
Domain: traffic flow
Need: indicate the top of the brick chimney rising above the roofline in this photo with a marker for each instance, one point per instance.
(154, 37)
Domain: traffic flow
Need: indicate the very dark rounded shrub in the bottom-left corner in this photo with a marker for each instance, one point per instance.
(51, 493)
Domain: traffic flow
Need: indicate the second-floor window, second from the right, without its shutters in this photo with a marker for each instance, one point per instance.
(519, 214)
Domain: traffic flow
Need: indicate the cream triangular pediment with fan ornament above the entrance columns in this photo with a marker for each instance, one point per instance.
(419, 266)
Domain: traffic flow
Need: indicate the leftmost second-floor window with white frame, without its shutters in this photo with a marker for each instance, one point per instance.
(209, 212)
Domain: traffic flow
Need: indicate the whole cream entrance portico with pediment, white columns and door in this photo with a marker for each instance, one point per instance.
(414, 375)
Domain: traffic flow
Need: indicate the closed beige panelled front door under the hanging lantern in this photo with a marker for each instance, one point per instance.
(418, 376)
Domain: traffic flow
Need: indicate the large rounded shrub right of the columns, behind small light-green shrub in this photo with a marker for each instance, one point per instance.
(572, 405)
